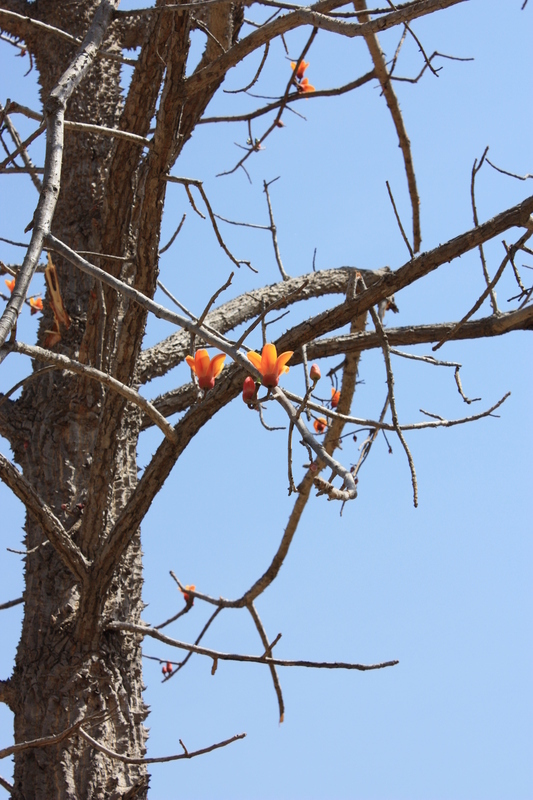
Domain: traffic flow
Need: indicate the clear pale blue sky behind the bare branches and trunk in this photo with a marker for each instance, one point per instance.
(446, 588)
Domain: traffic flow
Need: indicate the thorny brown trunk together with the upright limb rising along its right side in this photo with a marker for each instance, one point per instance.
(75, 440)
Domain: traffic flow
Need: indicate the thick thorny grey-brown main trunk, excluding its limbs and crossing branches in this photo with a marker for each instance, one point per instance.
(60, 677)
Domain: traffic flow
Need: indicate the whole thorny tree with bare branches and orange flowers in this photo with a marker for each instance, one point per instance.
(74, 431)
